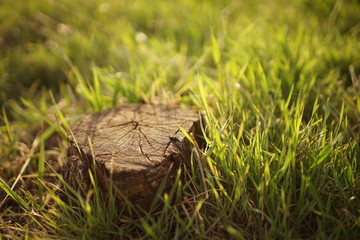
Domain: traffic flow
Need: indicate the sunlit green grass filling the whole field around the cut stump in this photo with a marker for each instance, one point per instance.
(278, 84)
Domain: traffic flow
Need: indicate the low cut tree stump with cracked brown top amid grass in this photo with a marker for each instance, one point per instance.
(136, 145)
